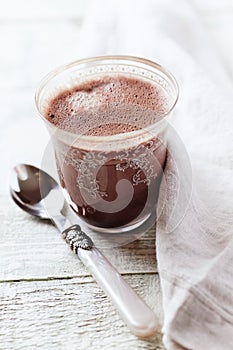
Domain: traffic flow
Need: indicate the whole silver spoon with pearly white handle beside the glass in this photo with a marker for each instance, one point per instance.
(36, 192)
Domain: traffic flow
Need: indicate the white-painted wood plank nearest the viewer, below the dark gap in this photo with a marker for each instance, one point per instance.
(71, 314)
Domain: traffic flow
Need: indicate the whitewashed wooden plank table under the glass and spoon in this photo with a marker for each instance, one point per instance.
(48, 300)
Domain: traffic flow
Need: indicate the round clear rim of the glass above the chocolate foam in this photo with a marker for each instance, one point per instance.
(116, 137)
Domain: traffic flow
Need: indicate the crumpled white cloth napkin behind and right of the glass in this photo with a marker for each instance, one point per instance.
(195, 230)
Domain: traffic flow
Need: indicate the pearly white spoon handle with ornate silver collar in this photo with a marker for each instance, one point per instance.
(140, 319)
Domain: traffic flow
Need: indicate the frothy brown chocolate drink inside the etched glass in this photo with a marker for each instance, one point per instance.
(110, 183)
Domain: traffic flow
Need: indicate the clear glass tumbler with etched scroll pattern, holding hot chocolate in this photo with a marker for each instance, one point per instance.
(111, 182)
